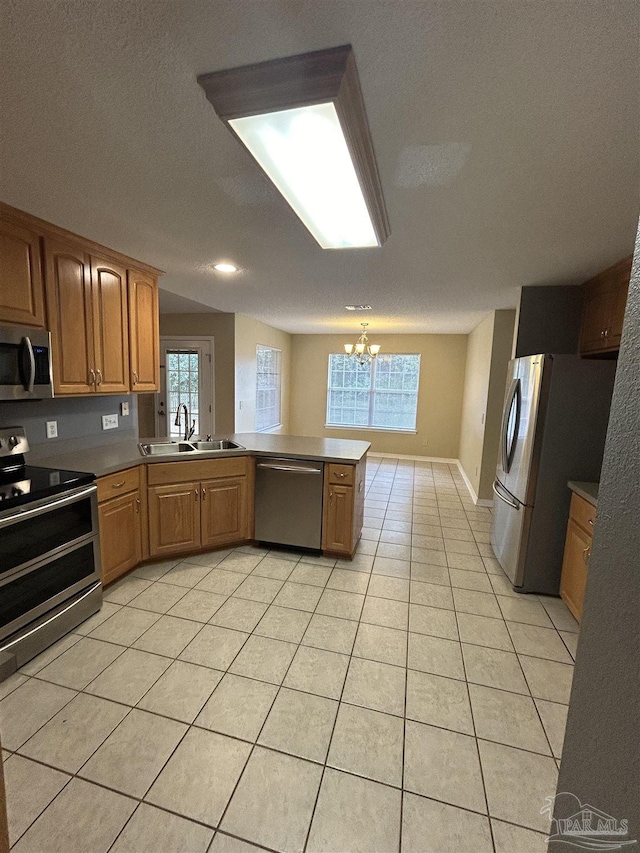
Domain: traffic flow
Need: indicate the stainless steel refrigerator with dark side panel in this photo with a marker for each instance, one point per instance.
(554, 426)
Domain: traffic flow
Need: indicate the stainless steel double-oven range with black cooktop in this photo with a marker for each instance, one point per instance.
(49, 552)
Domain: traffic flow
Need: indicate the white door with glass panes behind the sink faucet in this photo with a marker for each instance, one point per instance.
(186, 376)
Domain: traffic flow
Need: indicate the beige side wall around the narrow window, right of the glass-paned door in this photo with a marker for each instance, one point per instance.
(248, 334)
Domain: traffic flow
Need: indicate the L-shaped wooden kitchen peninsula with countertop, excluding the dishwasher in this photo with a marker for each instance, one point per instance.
(180, 503)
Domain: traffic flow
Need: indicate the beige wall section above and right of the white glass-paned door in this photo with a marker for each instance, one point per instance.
(222, 328)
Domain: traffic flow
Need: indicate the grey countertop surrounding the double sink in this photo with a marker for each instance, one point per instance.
(116, 457)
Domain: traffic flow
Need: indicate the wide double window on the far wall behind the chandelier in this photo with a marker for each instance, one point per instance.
(382, 394)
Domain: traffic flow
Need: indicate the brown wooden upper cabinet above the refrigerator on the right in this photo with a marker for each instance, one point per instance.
(605, 300)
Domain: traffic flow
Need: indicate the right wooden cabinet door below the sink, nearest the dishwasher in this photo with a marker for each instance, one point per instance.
(225, 511)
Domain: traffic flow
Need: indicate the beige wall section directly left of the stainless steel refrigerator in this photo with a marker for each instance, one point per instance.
(488, 353)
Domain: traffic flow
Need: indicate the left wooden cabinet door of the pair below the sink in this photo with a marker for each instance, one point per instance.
(174, 518)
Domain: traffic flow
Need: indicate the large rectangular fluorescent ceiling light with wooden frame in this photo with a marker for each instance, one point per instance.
(303, 120)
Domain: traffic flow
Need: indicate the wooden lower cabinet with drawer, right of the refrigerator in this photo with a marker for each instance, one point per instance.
(577, 551)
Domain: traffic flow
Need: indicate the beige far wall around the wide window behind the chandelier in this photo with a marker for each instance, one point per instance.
(442, 370)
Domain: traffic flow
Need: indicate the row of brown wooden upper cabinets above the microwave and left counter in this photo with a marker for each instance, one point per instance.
(101, 307)
